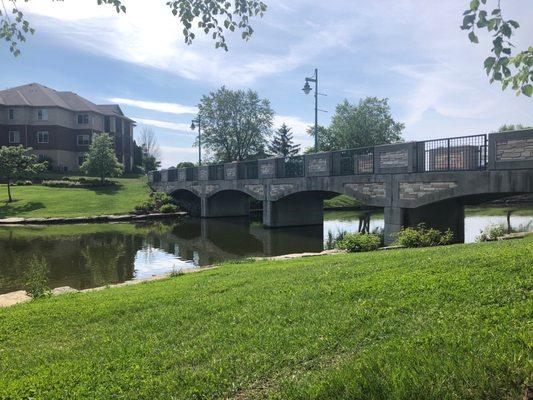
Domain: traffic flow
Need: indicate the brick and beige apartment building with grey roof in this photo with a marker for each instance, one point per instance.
(60, 125)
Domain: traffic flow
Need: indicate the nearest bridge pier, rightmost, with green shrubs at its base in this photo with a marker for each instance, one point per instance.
(443, 215)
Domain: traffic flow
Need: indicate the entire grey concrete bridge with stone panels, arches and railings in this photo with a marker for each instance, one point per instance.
(429, 181)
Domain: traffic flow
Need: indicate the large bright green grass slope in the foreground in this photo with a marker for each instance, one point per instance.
(437, 323)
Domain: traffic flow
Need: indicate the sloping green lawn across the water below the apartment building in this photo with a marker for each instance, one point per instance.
(42, 201)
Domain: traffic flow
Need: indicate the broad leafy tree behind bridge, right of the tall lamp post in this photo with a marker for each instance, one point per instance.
(369, 123)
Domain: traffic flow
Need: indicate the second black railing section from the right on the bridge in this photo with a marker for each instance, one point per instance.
(353, 161)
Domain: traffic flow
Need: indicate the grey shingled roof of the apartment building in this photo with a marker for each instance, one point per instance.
(36, 95)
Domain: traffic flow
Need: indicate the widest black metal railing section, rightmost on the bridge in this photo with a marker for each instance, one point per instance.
(454, 154)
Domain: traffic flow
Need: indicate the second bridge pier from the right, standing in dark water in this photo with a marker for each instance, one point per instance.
(296, 210)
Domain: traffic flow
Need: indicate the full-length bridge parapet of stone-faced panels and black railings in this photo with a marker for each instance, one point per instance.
(466, 153)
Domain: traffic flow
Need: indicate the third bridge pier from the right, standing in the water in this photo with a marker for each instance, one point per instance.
(225, 204)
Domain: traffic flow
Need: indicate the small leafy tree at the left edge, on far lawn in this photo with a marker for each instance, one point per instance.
(15, 163)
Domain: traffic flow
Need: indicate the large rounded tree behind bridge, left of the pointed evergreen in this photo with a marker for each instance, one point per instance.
(236, 124)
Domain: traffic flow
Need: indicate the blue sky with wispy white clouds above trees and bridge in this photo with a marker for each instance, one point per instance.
(409, 51)
